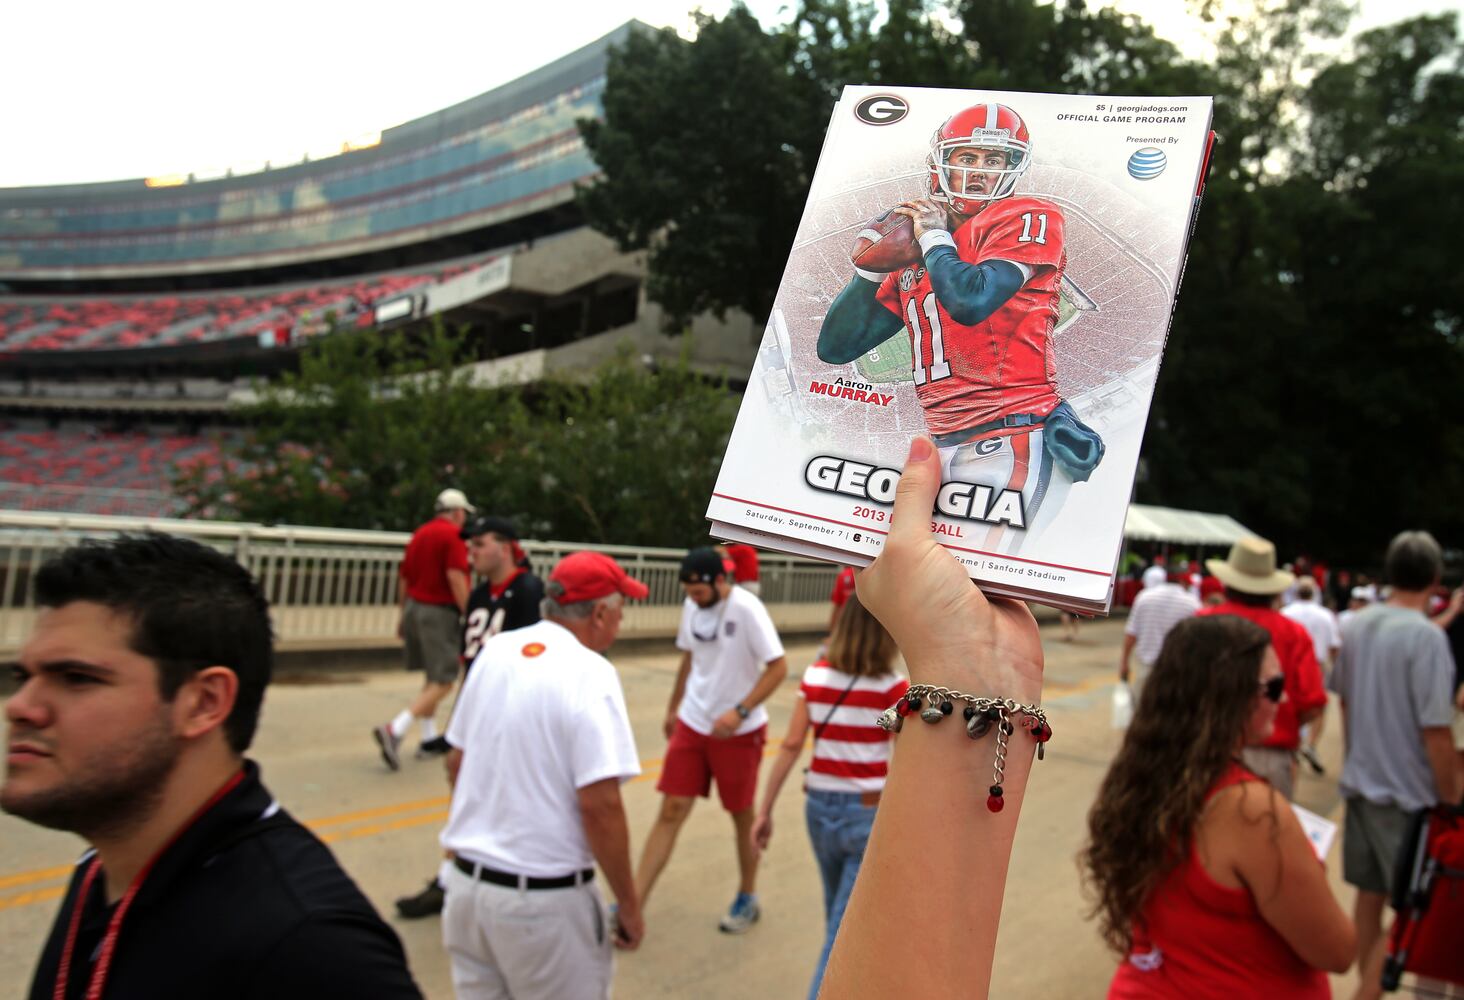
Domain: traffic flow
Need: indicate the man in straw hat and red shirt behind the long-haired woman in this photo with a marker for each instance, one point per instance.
(1252, 588)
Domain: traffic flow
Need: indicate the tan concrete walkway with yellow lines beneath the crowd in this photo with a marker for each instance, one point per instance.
(320, 761)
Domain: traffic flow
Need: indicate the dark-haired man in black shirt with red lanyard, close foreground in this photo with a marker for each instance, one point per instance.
(140, 692)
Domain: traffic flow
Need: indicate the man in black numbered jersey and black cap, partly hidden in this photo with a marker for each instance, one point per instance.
(507, 598)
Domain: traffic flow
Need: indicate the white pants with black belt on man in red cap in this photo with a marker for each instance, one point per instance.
(526, 945)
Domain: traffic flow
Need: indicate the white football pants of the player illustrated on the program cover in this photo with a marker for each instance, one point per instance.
(1017, 462)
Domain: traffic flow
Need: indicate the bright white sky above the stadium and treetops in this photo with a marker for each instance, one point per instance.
(105, 92)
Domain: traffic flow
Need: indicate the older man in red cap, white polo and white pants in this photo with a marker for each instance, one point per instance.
(541, 745)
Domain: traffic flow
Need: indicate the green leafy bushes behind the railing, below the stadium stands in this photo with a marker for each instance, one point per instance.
(374, 427)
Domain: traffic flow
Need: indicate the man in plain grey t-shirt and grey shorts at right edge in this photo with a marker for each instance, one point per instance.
(1394, 679)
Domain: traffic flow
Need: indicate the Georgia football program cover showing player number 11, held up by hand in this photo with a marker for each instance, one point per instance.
(1015, 310)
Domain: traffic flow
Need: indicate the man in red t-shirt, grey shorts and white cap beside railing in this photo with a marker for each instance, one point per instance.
(433, 597)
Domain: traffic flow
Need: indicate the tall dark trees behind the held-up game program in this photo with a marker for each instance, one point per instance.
(1318, 330)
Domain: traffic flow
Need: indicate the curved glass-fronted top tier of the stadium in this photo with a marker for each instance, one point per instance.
(501, 156)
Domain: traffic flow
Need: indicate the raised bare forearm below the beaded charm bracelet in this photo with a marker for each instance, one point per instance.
(933, 827)
